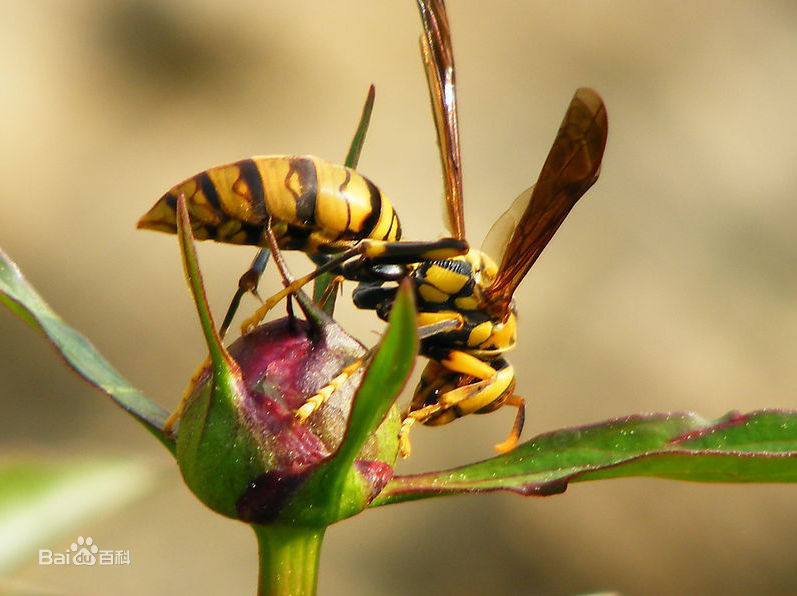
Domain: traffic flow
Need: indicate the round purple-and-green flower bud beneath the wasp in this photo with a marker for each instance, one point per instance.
(245, 452)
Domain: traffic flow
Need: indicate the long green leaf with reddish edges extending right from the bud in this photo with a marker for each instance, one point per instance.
(756, 447)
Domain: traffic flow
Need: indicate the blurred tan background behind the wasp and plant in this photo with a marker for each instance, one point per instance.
(672, 286)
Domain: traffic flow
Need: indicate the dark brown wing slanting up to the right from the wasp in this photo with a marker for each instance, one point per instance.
(572, 166)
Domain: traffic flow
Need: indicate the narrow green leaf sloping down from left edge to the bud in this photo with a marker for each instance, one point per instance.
(79, 354)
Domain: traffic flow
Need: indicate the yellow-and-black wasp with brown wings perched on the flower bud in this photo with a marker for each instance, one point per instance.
(466, 312)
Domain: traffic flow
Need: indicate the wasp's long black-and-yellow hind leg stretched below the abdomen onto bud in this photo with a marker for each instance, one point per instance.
(384, 252)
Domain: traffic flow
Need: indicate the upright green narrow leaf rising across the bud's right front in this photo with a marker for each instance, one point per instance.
(382, 383)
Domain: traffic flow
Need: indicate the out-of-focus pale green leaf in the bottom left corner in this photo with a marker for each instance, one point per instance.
(40, 501)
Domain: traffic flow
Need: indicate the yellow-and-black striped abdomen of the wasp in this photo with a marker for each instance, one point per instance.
(314, 205)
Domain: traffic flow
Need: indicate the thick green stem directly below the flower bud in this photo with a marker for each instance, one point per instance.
(288, 560)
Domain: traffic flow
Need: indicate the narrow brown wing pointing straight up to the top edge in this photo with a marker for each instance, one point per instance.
(438, 61)
